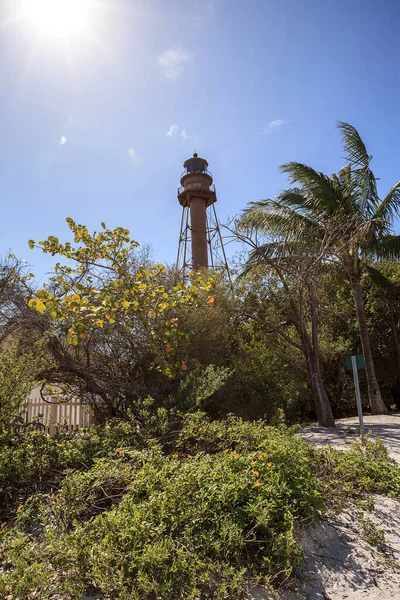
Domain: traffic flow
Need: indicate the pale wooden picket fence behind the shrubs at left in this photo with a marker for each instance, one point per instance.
(72, 415)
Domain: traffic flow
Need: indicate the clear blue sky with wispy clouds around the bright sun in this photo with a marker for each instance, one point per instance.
(97, 126)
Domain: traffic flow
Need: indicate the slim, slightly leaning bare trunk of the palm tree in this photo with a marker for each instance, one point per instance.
(375, 399)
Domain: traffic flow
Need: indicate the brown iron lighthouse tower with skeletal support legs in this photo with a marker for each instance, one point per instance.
(200, 241)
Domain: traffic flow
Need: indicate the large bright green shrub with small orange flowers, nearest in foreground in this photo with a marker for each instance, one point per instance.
(140, 523)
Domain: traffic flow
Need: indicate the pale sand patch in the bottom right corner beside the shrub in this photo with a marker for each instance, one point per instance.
(340, 563)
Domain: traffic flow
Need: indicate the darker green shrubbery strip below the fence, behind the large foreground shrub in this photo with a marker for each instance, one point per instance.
(32, 461)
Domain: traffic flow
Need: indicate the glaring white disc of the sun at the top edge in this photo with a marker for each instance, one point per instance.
(58, 18)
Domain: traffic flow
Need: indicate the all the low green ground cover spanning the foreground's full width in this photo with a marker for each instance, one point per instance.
(194, 509)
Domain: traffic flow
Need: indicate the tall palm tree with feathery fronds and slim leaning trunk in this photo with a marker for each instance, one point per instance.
(345, 211)
